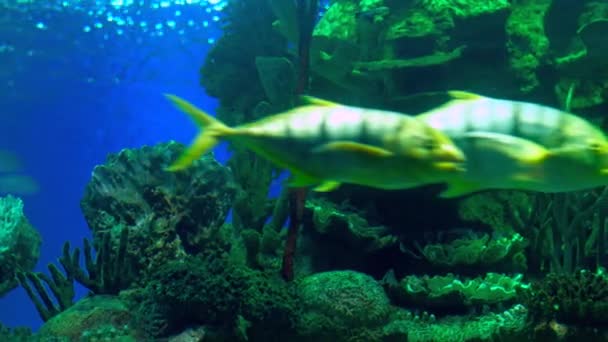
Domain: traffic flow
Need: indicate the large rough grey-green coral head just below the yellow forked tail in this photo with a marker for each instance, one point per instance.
(168, 214)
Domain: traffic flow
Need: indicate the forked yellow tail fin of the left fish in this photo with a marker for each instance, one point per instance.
(212, 132)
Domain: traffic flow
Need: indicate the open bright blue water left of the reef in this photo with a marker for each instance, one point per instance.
(79, 80)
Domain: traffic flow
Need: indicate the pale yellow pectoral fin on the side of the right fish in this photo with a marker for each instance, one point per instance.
(522, 150)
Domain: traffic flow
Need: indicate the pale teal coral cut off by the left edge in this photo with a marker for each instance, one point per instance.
(19, 243)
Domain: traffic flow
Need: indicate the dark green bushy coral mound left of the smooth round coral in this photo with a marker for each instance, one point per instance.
(215, 291)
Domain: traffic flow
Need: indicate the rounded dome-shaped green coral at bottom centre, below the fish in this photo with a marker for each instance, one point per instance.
(341, 303)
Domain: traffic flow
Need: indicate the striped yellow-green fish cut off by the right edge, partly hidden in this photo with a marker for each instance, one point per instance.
(519, 145)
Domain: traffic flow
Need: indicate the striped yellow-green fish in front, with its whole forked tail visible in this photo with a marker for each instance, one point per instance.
(324, 144)
